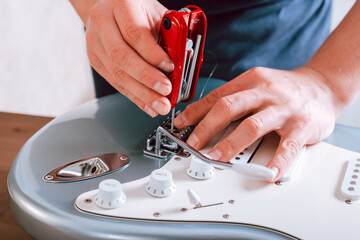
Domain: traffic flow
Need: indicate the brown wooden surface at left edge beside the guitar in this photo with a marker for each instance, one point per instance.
(15, 129)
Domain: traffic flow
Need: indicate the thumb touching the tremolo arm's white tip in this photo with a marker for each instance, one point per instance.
(288, 149)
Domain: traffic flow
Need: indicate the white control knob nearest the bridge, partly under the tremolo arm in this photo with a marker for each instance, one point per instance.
(199, 169)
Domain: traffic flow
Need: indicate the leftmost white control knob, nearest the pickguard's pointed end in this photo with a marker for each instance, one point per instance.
(110, 194)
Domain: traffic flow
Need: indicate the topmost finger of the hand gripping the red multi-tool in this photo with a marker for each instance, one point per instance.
(137, 33)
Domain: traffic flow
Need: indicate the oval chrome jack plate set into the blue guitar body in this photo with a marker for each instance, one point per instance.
(87, 168)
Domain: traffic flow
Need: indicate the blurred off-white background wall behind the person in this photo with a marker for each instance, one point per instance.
(44, 69)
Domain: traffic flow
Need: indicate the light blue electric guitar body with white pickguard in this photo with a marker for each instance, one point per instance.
(310, 206)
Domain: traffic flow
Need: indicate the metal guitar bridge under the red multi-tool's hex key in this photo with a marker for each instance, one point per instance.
(161, 146)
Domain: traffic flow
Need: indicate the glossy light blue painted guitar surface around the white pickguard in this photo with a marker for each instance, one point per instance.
(106, 125)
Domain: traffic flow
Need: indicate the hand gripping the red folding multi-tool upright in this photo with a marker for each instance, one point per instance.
(122, 46)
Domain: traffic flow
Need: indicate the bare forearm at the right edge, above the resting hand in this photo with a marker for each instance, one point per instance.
(338, 60)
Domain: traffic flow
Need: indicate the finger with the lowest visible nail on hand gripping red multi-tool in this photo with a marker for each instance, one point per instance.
(121, 80)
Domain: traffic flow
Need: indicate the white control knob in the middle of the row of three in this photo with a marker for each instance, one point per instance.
(160, 183)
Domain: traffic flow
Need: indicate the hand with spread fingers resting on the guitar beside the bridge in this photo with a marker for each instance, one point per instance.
(298, 105)
